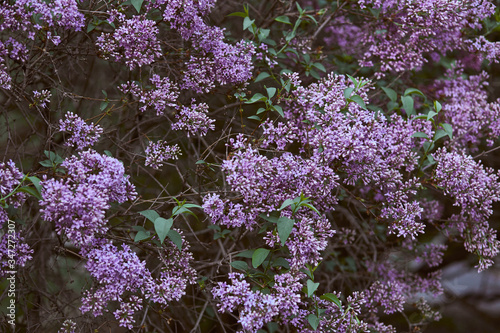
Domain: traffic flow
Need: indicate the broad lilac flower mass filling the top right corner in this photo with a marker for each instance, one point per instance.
(409, 30)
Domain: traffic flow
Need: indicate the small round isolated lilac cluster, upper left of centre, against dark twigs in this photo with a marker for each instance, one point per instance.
(194, 119)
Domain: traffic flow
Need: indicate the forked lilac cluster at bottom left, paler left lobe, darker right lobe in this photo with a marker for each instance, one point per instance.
(121, 276)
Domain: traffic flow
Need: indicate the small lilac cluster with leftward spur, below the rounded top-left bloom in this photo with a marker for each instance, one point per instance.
(163, 93)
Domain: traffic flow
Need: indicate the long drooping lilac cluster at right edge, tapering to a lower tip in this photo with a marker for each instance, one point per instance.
(474, 189)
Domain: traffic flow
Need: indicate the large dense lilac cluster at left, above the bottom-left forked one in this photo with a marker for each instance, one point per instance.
(78, 203)
